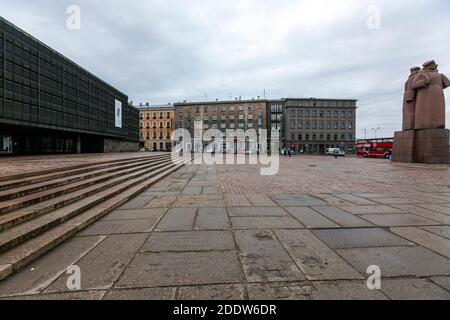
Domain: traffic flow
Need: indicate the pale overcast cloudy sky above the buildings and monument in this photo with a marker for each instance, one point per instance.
(161, 51)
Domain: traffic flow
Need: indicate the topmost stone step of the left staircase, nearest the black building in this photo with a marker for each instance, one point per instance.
(44, 175)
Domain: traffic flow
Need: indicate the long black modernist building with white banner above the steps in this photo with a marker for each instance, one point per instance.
(49, 104)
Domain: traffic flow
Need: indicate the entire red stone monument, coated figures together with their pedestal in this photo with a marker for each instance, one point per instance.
(424, 138)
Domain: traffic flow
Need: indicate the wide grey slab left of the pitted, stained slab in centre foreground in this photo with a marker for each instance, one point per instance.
(189, 241)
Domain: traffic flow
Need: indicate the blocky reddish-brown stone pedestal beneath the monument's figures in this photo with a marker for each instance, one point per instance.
(422, 146)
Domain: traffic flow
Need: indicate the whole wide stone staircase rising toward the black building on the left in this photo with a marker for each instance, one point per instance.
(39, 211)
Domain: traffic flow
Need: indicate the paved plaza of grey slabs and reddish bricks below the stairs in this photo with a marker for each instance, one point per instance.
(225, 232)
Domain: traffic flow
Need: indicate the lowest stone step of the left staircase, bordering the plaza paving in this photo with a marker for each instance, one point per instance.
(20, 256)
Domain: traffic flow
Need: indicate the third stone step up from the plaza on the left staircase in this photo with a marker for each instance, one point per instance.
(22, 215)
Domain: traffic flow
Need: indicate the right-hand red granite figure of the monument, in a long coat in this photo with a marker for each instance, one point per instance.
(430, 99)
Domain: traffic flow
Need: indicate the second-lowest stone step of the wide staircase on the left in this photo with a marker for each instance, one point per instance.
(25, 231)
